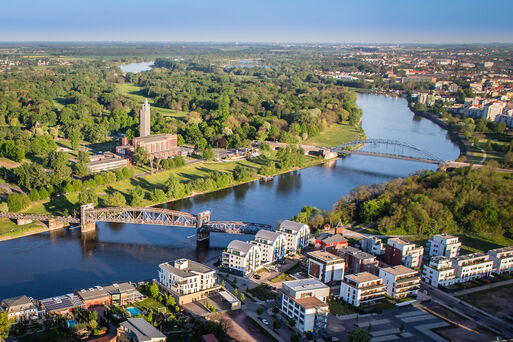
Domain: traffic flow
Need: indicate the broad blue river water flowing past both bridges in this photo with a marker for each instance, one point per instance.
(55, 263)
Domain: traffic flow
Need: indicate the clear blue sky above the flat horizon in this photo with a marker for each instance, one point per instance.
(329, 21)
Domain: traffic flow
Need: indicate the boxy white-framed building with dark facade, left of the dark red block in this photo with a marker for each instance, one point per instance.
(325, 266)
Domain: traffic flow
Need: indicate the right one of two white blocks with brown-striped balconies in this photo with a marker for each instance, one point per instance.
(400, 281)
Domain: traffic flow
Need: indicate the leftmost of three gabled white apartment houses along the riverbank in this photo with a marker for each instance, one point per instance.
(241, 258)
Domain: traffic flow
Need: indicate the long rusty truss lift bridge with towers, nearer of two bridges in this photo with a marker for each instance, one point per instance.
(89, 215)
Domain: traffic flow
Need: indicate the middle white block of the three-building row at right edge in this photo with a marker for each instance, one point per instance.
(472, 266)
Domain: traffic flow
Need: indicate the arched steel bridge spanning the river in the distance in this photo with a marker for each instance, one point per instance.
(400, 150)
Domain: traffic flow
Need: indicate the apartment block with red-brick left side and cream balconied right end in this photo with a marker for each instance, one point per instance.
(399, 251)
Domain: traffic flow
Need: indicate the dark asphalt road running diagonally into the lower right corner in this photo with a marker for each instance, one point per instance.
(480, 317)
